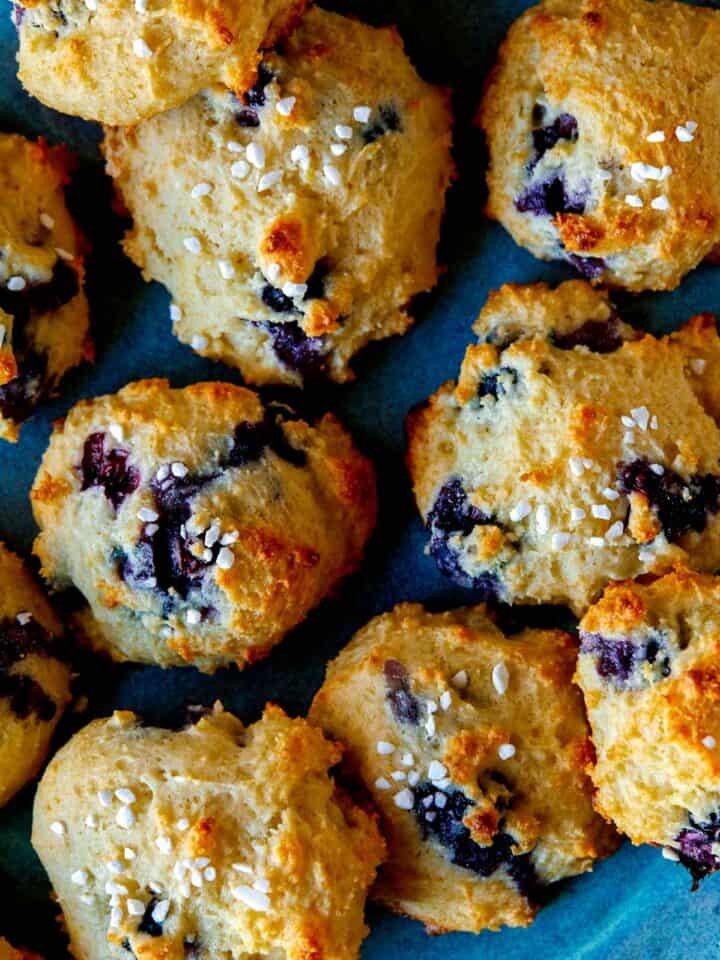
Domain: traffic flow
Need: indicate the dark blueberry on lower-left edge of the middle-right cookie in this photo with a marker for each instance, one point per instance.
(452, 514)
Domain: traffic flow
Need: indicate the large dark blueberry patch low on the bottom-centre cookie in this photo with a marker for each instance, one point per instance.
(446, 827)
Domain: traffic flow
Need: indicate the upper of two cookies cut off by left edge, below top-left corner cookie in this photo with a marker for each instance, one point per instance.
(43, 310)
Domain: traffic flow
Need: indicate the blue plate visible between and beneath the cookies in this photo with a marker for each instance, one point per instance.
(635, 905)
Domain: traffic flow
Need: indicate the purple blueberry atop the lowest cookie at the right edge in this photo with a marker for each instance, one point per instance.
(622, 660)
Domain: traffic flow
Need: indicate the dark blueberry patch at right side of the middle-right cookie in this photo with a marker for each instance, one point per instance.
(680, 505)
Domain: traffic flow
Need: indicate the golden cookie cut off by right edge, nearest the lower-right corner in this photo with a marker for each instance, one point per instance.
(650, 673)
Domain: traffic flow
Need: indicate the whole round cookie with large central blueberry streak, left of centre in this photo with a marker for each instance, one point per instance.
(199, 524)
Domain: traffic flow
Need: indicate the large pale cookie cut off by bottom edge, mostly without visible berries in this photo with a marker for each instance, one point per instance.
(213, 841)
